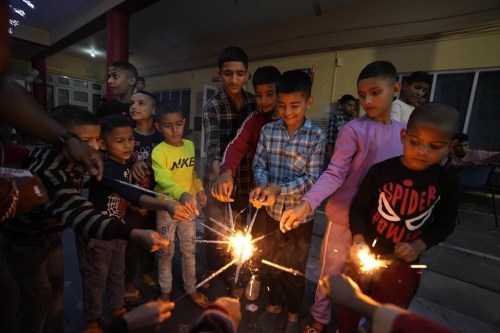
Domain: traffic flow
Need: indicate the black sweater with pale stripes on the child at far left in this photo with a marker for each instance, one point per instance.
(67, 208)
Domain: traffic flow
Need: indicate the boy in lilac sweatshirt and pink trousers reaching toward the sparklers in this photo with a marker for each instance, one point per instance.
(360, 143)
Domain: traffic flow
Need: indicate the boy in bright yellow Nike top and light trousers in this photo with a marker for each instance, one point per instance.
(173, 166)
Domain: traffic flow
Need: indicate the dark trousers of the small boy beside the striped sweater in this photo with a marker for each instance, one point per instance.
(104, 271)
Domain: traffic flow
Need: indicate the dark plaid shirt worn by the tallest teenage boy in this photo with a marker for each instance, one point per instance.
(222, 120)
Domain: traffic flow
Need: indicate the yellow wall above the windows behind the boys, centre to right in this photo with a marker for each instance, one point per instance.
(331, 82)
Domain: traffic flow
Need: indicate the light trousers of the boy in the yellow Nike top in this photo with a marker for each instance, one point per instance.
(186, 230)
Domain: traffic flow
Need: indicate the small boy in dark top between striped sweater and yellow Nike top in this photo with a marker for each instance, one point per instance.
(104, 260)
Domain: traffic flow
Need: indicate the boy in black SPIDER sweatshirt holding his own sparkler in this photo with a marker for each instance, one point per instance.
(404, 206)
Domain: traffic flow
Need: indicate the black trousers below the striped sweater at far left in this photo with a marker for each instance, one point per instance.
(37, 266)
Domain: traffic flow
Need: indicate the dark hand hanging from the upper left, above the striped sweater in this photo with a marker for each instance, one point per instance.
(80, 153)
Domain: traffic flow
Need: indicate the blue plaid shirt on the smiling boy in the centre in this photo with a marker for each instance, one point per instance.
(292, 162)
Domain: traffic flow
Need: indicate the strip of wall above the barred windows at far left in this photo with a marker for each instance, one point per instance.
(76, 67)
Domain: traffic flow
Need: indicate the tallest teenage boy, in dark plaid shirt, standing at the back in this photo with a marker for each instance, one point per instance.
(223, 115)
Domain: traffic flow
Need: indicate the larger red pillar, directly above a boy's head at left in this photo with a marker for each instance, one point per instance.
(117, 25)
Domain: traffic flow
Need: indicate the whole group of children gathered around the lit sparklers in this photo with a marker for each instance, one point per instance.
(383, 183)
